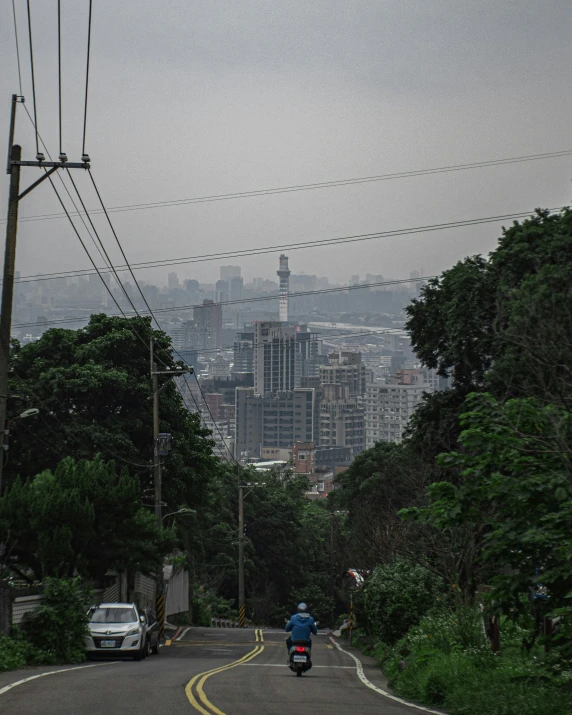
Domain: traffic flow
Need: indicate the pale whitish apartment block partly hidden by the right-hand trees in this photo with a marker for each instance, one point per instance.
(388, 409)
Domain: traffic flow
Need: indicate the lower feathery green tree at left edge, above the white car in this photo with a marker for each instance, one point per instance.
(85, 518)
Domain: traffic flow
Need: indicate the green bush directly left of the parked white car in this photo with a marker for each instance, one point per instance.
(58, 626)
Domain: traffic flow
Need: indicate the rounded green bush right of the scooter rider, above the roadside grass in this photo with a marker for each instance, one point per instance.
(396, 597)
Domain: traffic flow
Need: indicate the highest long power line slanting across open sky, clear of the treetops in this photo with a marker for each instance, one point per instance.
(321, 185)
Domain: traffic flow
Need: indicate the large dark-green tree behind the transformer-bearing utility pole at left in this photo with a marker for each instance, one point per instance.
(93, 389)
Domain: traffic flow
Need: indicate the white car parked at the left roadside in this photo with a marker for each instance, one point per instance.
(121, 629)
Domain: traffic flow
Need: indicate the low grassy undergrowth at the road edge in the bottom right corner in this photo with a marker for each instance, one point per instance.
(446, 661)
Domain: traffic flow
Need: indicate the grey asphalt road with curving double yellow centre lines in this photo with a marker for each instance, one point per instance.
(209, 671)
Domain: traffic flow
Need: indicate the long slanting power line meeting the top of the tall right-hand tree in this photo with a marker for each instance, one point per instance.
(317, 243)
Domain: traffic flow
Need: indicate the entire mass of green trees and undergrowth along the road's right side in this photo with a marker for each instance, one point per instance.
(480, 490)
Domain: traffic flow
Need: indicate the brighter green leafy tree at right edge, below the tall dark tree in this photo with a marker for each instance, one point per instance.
(516, 489)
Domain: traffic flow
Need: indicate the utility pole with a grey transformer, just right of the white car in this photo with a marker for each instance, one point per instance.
(157, 452)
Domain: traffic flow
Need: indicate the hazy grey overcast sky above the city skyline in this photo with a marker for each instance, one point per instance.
(190, 99)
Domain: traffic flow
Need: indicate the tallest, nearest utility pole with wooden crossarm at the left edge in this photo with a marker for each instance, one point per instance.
(13, 166)
